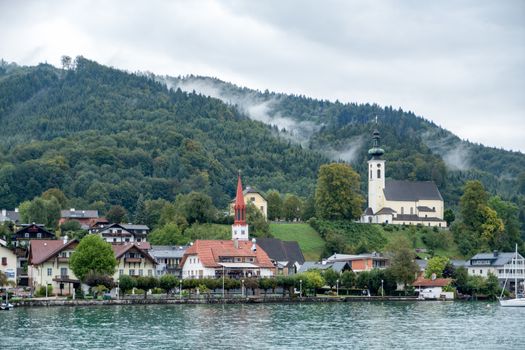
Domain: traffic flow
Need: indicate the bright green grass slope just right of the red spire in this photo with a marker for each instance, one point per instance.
(309, 240)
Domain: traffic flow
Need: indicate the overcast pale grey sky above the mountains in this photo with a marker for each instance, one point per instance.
(460, 64)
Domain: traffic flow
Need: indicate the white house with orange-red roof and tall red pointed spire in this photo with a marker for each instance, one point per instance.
(236, 258)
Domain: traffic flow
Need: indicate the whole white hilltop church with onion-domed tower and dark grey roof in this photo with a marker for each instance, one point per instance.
(399, 201)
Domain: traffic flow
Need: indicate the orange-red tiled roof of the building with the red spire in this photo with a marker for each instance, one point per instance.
(209, 252)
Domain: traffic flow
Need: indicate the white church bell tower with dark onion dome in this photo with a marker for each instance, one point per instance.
(376, 175)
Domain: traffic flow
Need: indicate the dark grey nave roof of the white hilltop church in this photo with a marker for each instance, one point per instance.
(401, 190)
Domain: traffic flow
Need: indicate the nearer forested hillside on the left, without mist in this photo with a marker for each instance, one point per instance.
(104, 136)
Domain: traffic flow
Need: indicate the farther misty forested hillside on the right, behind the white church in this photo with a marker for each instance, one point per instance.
(415, 148)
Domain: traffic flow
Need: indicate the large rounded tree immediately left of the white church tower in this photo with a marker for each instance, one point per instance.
(337, 193)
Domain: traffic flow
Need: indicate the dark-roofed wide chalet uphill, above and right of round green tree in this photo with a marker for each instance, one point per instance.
(121, 233)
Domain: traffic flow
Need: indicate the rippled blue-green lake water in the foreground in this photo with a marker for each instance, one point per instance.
(355, 325)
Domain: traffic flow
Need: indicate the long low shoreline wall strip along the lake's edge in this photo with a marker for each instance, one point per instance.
(201, 301)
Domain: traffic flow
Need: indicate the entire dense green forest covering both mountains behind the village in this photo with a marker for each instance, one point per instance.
(104, 137)
